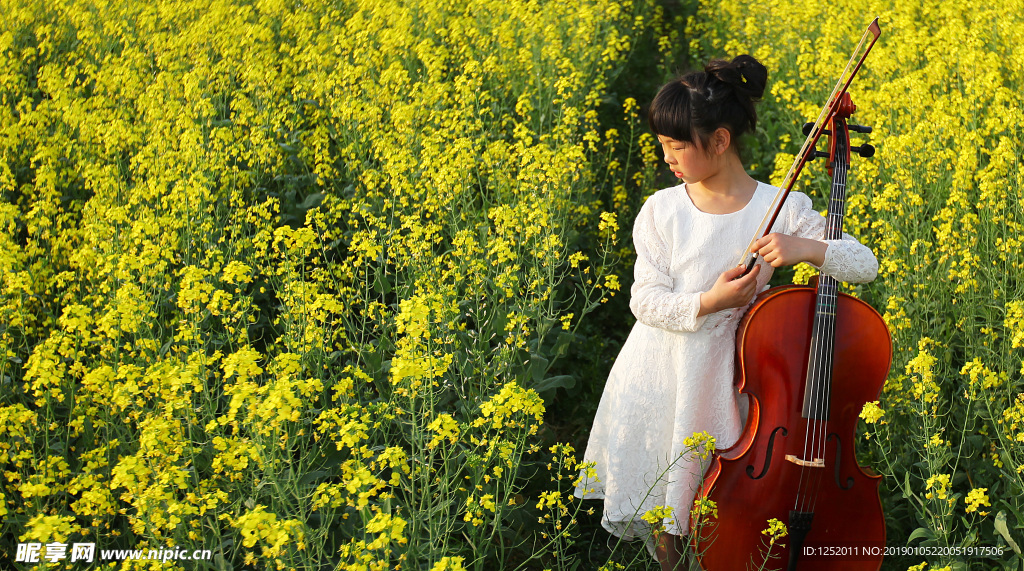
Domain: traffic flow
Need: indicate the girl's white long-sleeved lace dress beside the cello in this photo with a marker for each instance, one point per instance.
(674, 376)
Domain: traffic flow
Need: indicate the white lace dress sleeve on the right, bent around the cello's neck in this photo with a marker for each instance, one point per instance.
(847, 259)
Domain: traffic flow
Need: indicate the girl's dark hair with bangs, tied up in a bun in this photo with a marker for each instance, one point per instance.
(695, 106)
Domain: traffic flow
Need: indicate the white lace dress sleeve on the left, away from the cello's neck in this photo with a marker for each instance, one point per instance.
(652, 298)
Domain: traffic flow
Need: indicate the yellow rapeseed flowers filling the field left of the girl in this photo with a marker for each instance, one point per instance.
(286, 281)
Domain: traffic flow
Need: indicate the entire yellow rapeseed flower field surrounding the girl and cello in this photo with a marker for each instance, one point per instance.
(300, 284)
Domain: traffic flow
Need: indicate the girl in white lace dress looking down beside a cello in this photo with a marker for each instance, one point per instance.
(674, 376)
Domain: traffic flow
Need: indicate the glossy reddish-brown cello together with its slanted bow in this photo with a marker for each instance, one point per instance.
(808, 360)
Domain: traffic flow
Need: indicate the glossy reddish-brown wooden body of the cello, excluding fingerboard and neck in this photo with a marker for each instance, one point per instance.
(754, 481)
